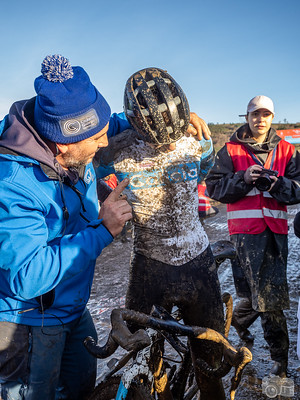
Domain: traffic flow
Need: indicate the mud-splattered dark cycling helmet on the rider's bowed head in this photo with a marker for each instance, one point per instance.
(156, 106)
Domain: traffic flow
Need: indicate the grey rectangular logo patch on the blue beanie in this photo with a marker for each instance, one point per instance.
(80, 124)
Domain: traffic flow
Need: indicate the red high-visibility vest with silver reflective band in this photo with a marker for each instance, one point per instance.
(258, 210)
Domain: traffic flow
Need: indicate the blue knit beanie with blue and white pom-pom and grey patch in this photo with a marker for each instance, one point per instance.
(68, 107)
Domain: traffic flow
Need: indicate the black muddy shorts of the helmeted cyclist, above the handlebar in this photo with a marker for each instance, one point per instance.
(193, 287)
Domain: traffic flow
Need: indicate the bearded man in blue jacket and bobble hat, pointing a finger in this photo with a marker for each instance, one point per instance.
(51, 232)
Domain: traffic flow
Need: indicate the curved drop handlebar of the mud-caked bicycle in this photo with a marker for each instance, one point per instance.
(133, 342)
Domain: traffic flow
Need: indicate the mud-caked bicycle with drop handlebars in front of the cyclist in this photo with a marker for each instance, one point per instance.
(150, 374)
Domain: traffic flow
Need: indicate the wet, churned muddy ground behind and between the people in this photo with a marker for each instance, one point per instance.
(109, 291)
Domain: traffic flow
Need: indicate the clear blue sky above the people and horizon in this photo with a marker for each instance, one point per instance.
(222, 53)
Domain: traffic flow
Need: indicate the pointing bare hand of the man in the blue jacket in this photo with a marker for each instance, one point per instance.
(115, 210)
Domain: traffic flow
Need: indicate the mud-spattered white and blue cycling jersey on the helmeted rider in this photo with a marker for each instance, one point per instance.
(163, 193)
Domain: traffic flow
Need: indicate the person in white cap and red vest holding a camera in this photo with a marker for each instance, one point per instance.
(257, 174)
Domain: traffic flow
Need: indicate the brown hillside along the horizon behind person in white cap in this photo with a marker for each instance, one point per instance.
(222, 132)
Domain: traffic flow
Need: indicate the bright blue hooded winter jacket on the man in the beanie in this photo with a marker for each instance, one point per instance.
(50, 236)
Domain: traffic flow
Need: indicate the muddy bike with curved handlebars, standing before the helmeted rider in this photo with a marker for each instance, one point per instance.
(160, 324)
